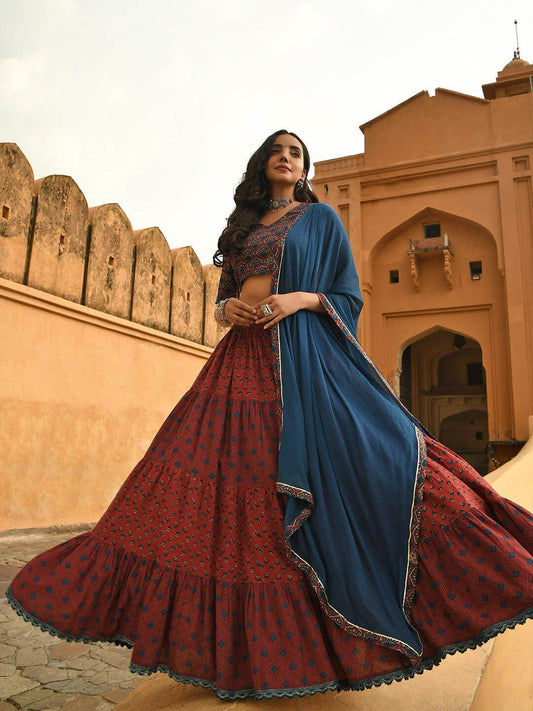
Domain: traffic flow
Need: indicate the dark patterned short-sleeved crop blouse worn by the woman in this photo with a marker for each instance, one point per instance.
(261, 254)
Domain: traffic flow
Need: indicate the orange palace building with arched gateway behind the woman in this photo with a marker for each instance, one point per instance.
(439, 211)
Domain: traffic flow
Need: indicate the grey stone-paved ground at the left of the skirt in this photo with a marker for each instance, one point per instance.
(43, 673)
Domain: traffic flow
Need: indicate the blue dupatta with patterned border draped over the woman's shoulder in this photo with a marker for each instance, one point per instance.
(351, 455)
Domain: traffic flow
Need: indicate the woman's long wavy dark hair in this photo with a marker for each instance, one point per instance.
(252, 198)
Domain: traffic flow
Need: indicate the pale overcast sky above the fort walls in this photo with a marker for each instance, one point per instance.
(158, 104)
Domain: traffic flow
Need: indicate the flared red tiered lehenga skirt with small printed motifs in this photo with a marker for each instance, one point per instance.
(188, 565)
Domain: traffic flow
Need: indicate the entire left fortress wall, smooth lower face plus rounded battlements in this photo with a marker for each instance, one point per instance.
(103, 329)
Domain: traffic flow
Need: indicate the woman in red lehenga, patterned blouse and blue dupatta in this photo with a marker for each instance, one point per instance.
(292, 527)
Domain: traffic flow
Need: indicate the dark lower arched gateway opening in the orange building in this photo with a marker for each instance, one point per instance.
(443, 383)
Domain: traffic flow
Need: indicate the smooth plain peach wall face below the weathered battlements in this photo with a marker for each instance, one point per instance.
(83, 395)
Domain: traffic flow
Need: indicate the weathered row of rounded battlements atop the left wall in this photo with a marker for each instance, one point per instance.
(51, 240)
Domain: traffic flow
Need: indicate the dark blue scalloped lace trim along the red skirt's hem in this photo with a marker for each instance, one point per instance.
(334, 685)
